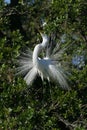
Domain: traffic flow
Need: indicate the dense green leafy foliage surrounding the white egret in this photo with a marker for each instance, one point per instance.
(43, 106)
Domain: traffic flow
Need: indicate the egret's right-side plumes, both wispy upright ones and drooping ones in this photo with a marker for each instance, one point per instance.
(57, 70)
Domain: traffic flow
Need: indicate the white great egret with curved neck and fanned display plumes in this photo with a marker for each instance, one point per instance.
(32, 65)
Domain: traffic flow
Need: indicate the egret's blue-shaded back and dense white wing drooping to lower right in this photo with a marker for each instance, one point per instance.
(53, 73)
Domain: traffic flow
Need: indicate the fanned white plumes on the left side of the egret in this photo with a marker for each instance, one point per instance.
(26, 66)
